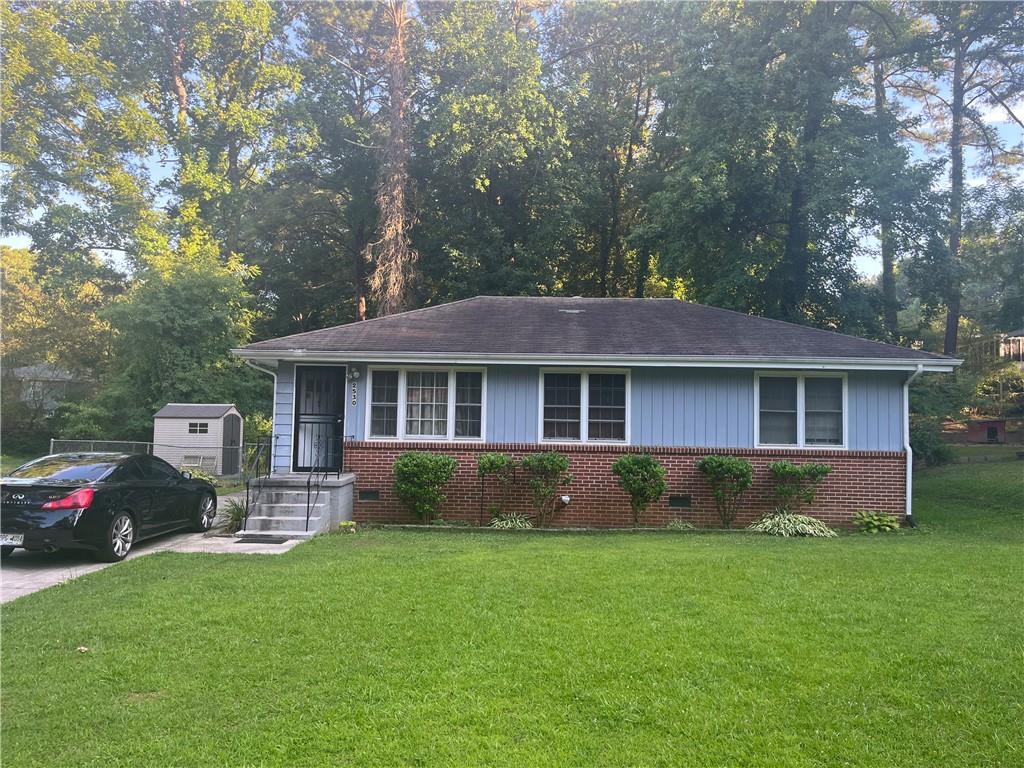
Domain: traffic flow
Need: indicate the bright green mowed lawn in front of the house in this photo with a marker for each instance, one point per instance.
(398, 649)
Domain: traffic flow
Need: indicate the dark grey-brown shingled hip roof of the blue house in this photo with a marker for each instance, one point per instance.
(570, 327)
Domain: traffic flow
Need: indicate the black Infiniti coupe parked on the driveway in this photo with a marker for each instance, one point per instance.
(100, 502)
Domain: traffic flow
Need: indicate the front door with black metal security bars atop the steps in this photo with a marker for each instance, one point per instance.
(320, 417)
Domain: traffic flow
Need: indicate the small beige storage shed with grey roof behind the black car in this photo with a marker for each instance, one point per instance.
(199, 435)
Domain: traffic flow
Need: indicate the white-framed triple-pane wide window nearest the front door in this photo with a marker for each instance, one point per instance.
(426, 404)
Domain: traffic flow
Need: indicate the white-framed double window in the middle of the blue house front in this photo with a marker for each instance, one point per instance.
(584, 406)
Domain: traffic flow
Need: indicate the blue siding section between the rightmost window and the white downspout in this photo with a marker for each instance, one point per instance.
(876, 404)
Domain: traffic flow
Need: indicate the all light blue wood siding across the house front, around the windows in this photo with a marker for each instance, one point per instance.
(712, 408)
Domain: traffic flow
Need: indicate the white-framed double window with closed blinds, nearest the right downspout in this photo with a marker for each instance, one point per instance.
(800, 410)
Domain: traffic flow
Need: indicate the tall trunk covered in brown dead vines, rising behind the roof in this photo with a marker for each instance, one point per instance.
(394, 253)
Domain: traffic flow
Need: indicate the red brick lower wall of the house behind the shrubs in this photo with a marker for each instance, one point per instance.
(861, 480)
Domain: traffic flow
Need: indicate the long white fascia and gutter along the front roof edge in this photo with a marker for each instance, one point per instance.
(634, 361)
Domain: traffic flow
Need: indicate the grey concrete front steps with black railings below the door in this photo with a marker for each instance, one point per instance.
(281, 507)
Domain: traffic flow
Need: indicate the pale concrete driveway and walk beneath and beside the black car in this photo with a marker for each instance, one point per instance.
(25, 573)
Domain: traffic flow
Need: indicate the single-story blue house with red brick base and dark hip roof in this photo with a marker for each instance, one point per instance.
(594, 379)
